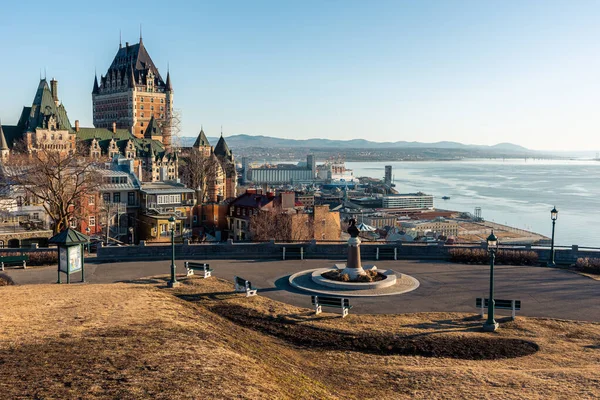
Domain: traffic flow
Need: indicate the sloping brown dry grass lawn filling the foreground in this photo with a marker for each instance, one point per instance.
(201, 341)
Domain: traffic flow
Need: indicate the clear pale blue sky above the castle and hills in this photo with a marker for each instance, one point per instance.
(524, 72)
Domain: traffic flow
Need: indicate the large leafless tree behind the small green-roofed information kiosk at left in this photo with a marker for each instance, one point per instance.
(61, 181)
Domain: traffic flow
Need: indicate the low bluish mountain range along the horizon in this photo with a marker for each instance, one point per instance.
(245, 141)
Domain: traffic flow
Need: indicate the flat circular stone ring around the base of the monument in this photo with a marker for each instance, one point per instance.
(303, 280)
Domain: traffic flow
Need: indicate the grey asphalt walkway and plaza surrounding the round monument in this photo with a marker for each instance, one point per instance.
(544, 292)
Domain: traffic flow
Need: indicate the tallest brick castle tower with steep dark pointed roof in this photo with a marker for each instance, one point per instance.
(132, 93)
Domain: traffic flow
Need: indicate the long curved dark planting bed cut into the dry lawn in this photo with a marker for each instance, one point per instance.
(294, 329)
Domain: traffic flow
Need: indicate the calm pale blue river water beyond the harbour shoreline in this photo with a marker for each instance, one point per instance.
(518, 193)
